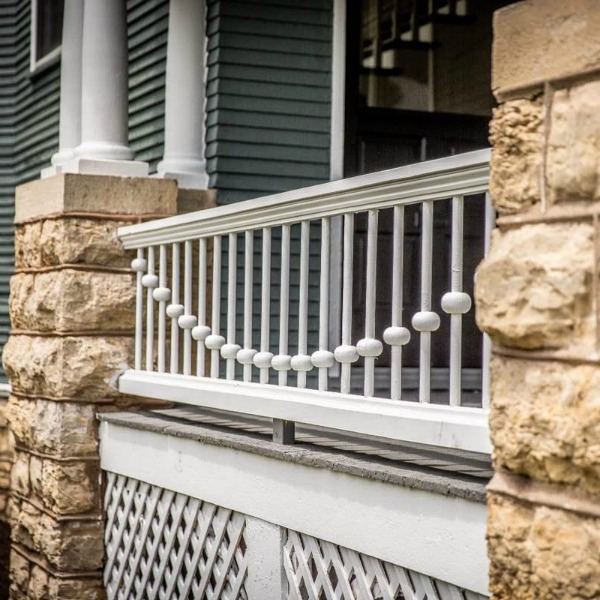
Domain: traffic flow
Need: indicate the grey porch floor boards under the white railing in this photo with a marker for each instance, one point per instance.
(449, 472)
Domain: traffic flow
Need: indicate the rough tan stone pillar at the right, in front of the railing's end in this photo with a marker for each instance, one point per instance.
(537, 295)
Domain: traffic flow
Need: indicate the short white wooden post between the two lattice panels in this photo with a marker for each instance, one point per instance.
(264, 544)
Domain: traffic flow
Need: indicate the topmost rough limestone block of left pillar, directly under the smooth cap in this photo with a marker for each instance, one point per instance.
(70, 241)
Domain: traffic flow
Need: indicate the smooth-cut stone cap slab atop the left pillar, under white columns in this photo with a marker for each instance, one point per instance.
(95, 193)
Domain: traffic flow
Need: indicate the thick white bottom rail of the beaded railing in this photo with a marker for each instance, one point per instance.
(438, 425)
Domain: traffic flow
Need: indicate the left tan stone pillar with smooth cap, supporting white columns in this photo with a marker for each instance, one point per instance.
(72, 315)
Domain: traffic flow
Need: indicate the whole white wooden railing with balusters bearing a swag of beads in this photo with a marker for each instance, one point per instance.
(226, 261)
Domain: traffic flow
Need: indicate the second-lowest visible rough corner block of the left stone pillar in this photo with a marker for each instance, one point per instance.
(67, 545)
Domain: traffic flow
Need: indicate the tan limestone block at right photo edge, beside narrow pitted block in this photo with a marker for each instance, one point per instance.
(573, 160)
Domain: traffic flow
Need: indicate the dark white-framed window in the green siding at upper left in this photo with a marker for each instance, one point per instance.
(46, 32)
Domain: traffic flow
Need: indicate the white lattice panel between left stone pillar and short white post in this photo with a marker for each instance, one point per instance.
(167, 546)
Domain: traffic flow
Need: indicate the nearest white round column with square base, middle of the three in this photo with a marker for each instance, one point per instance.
(104, 119)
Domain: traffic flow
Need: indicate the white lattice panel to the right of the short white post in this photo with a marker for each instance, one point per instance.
(318, 570)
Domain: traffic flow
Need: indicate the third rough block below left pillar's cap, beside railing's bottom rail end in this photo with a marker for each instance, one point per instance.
(66, 367)
